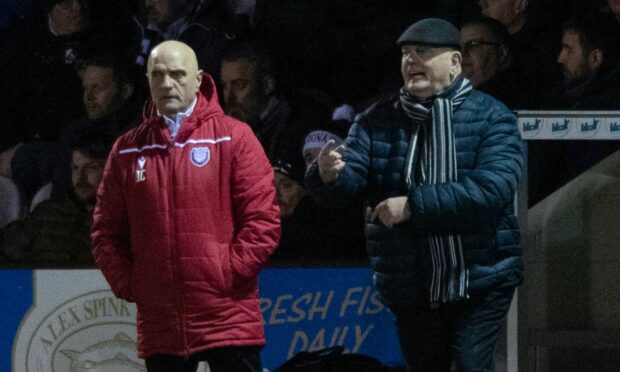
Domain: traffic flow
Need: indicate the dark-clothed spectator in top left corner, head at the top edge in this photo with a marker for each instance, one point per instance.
(40, 87)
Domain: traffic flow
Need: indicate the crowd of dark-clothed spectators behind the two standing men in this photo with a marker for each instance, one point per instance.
(295, 71)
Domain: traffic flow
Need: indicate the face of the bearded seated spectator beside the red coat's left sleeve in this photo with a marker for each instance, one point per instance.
(86, 174)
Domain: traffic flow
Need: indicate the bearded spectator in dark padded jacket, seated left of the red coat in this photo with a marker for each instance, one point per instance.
(57, 231)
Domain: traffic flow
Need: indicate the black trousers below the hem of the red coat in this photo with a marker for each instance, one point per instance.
(222, 359)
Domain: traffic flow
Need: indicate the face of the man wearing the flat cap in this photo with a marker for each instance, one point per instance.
(428, 70)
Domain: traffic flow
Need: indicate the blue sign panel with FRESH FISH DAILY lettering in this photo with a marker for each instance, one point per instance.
(311, 309)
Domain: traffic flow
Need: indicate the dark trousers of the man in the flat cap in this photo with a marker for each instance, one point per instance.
(462, 334)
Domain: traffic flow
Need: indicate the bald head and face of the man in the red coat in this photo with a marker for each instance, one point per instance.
(174, 77)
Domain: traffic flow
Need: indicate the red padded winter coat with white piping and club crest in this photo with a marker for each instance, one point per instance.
(183, 227)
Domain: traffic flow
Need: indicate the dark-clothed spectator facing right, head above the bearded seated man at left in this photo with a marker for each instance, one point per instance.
(110, 107)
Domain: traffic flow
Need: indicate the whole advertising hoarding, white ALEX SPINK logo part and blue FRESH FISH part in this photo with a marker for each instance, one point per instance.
(56, 320)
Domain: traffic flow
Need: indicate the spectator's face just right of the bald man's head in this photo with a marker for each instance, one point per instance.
(243, 96)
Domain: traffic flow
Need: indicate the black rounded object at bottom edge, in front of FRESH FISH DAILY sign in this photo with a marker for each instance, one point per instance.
(331, 360)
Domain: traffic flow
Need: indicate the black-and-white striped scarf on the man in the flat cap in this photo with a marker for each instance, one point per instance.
(437, 164)
